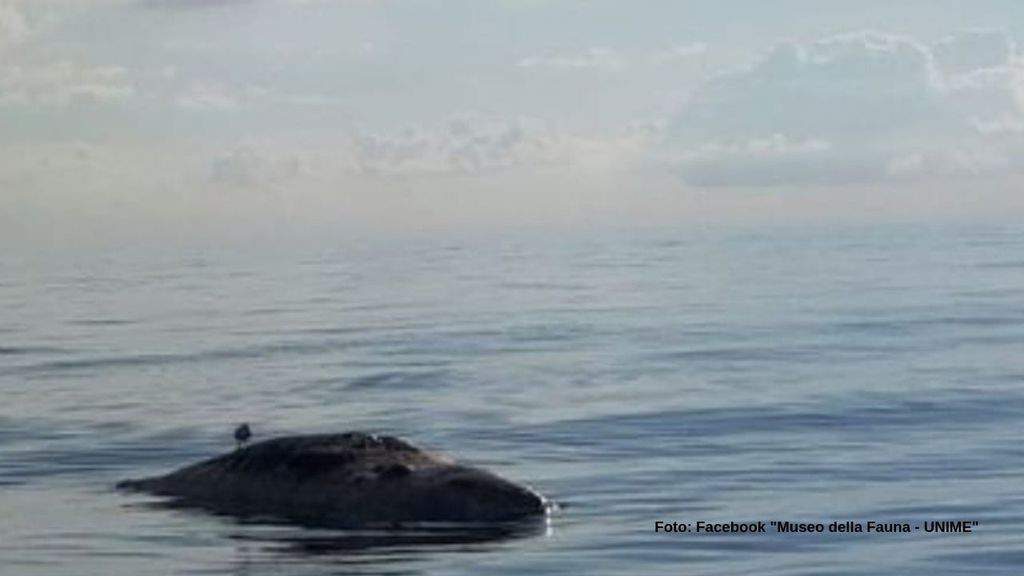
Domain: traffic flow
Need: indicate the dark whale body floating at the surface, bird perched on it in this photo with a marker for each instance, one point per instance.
(346, 480)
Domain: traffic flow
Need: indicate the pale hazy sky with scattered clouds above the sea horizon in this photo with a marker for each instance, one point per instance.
(139, 121)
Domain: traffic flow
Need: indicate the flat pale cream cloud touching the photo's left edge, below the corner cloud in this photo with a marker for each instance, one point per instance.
(63, 84)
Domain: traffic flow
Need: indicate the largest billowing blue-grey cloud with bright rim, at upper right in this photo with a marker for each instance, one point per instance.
(887, 107)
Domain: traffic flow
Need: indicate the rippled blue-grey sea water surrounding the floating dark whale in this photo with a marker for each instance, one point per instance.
(870, 374)
